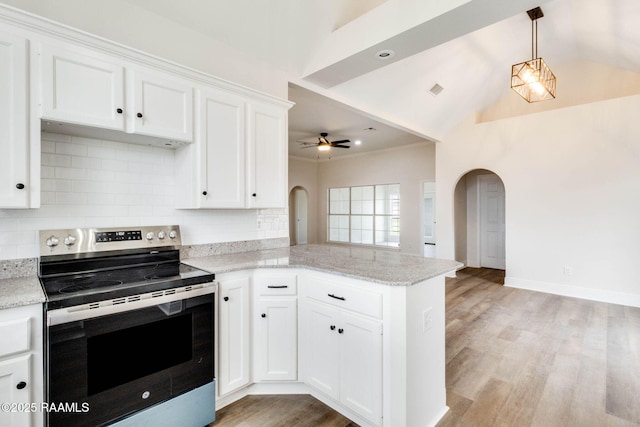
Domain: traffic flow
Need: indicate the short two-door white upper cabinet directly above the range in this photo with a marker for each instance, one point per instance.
(86, 88)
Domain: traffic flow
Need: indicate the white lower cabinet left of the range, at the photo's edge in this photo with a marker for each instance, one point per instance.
(21, 375)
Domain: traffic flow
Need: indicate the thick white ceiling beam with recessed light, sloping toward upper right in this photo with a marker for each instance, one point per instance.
(405, 27)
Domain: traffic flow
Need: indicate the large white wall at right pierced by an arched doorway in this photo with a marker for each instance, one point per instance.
(572, 197)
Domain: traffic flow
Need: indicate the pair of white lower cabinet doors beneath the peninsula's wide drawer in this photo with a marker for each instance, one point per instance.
(343, 358)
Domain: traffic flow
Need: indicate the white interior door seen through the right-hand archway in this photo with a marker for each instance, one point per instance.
(492, 237)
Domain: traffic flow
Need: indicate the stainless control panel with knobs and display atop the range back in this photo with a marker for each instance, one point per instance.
(77, 241)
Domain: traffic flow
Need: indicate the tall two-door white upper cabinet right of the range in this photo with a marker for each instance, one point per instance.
(239, 159)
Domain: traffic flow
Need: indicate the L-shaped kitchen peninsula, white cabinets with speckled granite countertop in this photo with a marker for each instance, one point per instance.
(362, 330)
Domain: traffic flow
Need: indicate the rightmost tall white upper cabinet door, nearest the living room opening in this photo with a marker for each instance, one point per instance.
(267, 127)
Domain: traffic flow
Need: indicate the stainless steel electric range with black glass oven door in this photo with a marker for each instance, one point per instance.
(129, 334)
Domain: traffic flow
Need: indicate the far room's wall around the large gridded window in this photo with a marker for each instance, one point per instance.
(408, 166)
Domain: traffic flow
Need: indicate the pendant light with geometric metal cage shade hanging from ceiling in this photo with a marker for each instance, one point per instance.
(533, 80)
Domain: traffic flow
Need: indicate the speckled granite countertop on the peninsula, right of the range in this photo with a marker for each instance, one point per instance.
(373, 265)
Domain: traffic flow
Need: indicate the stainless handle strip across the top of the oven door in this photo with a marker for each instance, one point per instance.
(134, 302)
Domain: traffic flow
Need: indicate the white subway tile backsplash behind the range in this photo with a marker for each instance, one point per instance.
(93, 183)
